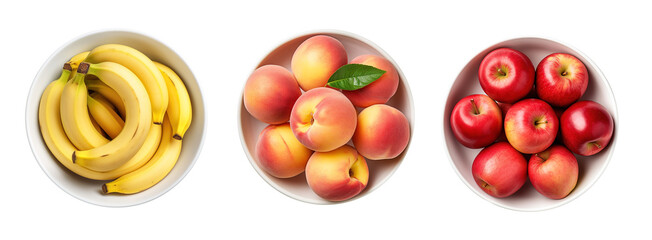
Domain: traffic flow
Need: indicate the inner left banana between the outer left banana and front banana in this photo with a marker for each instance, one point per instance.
(75, 118)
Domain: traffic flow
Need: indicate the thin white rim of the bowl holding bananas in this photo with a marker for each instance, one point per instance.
(30, 100)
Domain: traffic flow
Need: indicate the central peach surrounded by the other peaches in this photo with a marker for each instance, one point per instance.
(323, 119)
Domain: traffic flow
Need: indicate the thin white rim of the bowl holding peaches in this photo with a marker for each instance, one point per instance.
(410, 104)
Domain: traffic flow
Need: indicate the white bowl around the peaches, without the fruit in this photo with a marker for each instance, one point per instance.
(297, 187)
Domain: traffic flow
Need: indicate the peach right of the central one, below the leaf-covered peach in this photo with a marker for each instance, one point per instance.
(382, 132)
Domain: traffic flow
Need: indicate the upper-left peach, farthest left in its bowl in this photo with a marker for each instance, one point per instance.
(270, 94)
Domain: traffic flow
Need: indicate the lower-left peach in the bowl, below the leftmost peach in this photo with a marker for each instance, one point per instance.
(279, 153)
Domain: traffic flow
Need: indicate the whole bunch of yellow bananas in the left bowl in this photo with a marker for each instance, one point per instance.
(115, 115)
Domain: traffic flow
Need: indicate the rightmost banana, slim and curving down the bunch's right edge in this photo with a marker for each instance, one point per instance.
(179, 107)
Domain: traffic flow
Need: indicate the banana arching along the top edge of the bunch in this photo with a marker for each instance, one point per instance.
(140, 65)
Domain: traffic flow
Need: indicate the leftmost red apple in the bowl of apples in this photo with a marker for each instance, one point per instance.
(476, 121)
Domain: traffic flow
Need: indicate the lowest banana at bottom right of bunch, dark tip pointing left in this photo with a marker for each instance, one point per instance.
(154, 171)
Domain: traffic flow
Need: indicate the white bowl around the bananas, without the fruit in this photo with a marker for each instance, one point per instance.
(90, 190)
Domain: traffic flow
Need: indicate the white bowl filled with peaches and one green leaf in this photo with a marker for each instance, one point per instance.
(326, 117)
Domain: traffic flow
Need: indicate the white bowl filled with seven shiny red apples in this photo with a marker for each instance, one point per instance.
(530, 124)
